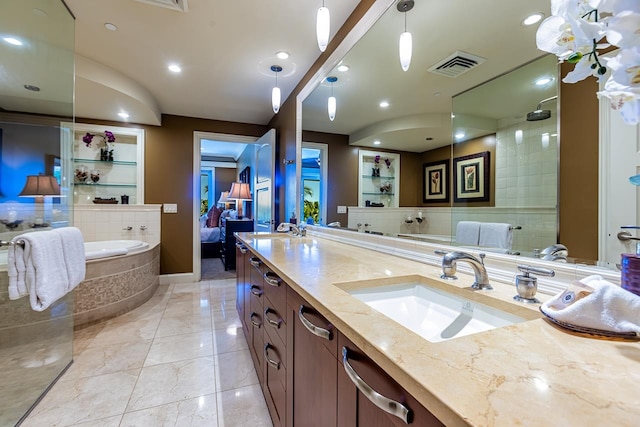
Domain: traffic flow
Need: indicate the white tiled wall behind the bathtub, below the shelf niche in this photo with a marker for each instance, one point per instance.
(108, 222)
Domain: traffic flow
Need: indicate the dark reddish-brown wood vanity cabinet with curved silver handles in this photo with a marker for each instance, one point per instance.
(299, 358)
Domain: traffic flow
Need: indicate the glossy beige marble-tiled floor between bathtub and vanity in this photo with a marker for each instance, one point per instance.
(178, 360)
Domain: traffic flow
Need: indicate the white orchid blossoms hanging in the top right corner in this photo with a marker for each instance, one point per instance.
(578, 30)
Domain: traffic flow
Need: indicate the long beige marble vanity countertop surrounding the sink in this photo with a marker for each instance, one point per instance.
(531, 373)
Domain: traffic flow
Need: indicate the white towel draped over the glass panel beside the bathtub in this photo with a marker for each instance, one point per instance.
(46, 268)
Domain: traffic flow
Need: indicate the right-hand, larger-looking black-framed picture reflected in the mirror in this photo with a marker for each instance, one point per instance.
(471, 178)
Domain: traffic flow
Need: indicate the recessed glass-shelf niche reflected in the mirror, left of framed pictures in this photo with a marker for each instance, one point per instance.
(369, 185)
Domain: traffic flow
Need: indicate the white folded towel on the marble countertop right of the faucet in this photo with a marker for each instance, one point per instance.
(596, 304)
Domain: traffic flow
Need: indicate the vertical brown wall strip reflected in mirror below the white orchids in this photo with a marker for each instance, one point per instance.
(578, 193)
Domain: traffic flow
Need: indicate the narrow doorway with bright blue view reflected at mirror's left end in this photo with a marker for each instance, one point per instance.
(314, 183)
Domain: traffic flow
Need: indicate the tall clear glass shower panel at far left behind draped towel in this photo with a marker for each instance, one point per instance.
(36, 95)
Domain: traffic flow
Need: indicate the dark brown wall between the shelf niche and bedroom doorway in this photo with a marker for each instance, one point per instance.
(169, 179)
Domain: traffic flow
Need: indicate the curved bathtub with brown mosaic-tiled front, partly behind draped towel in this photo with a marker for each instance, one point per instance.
(120, 276)
